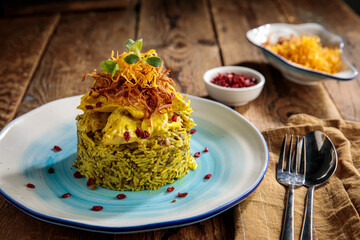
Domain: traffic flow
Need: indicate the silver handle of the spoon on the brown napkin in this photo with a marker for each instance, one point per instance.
(306, 232)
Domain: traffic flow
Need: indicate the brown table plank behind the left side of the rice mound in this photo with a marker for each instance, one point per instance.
(80, 44)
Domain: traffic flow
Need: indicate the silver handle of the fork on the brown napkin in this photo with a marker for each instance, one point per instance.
(288, 226)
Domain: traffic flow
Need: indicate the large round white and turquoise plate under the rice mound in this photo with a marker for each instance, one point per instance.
(238, 159)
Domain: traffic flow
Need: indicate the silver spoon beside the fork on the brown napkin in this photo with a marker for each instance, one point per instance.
(320, 164)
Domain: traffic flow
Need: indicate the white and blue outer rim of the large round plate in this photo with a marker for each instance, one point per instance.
(143, 227)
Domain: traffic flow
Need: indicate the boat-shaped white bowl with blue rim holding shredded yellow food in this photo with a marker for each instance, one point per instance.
(292, 71)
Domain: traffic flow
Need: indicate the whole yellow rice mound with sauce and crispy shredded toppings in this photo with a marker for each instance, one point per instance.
(134, 133)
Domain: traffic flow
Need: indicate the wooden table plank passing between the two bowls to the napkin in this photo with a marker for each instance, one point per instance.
(280, 98)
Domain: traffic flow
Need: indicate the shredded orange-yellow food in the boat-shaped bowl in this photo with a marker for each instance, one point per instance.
(309, 52)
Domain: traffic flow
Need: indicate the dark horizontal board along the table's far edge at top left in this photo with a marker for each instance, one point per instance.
(18, 8)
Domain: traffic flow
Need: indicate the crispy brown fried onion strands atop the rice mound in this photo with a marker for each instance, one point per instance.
(151, 97)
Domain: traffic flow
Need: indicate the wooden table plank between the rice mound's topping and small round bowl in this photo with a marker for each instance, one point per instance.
(182, 33)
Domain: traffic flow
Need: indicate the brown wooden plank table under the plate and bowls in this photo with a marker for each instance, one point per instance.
(46, 49)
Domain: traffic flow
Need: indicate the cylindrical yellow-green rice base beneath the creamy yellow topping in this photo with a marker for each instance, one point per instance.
(135, 166)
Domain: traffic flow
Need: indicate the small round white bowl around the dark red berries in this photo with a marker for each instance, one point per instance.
(233, 96)
